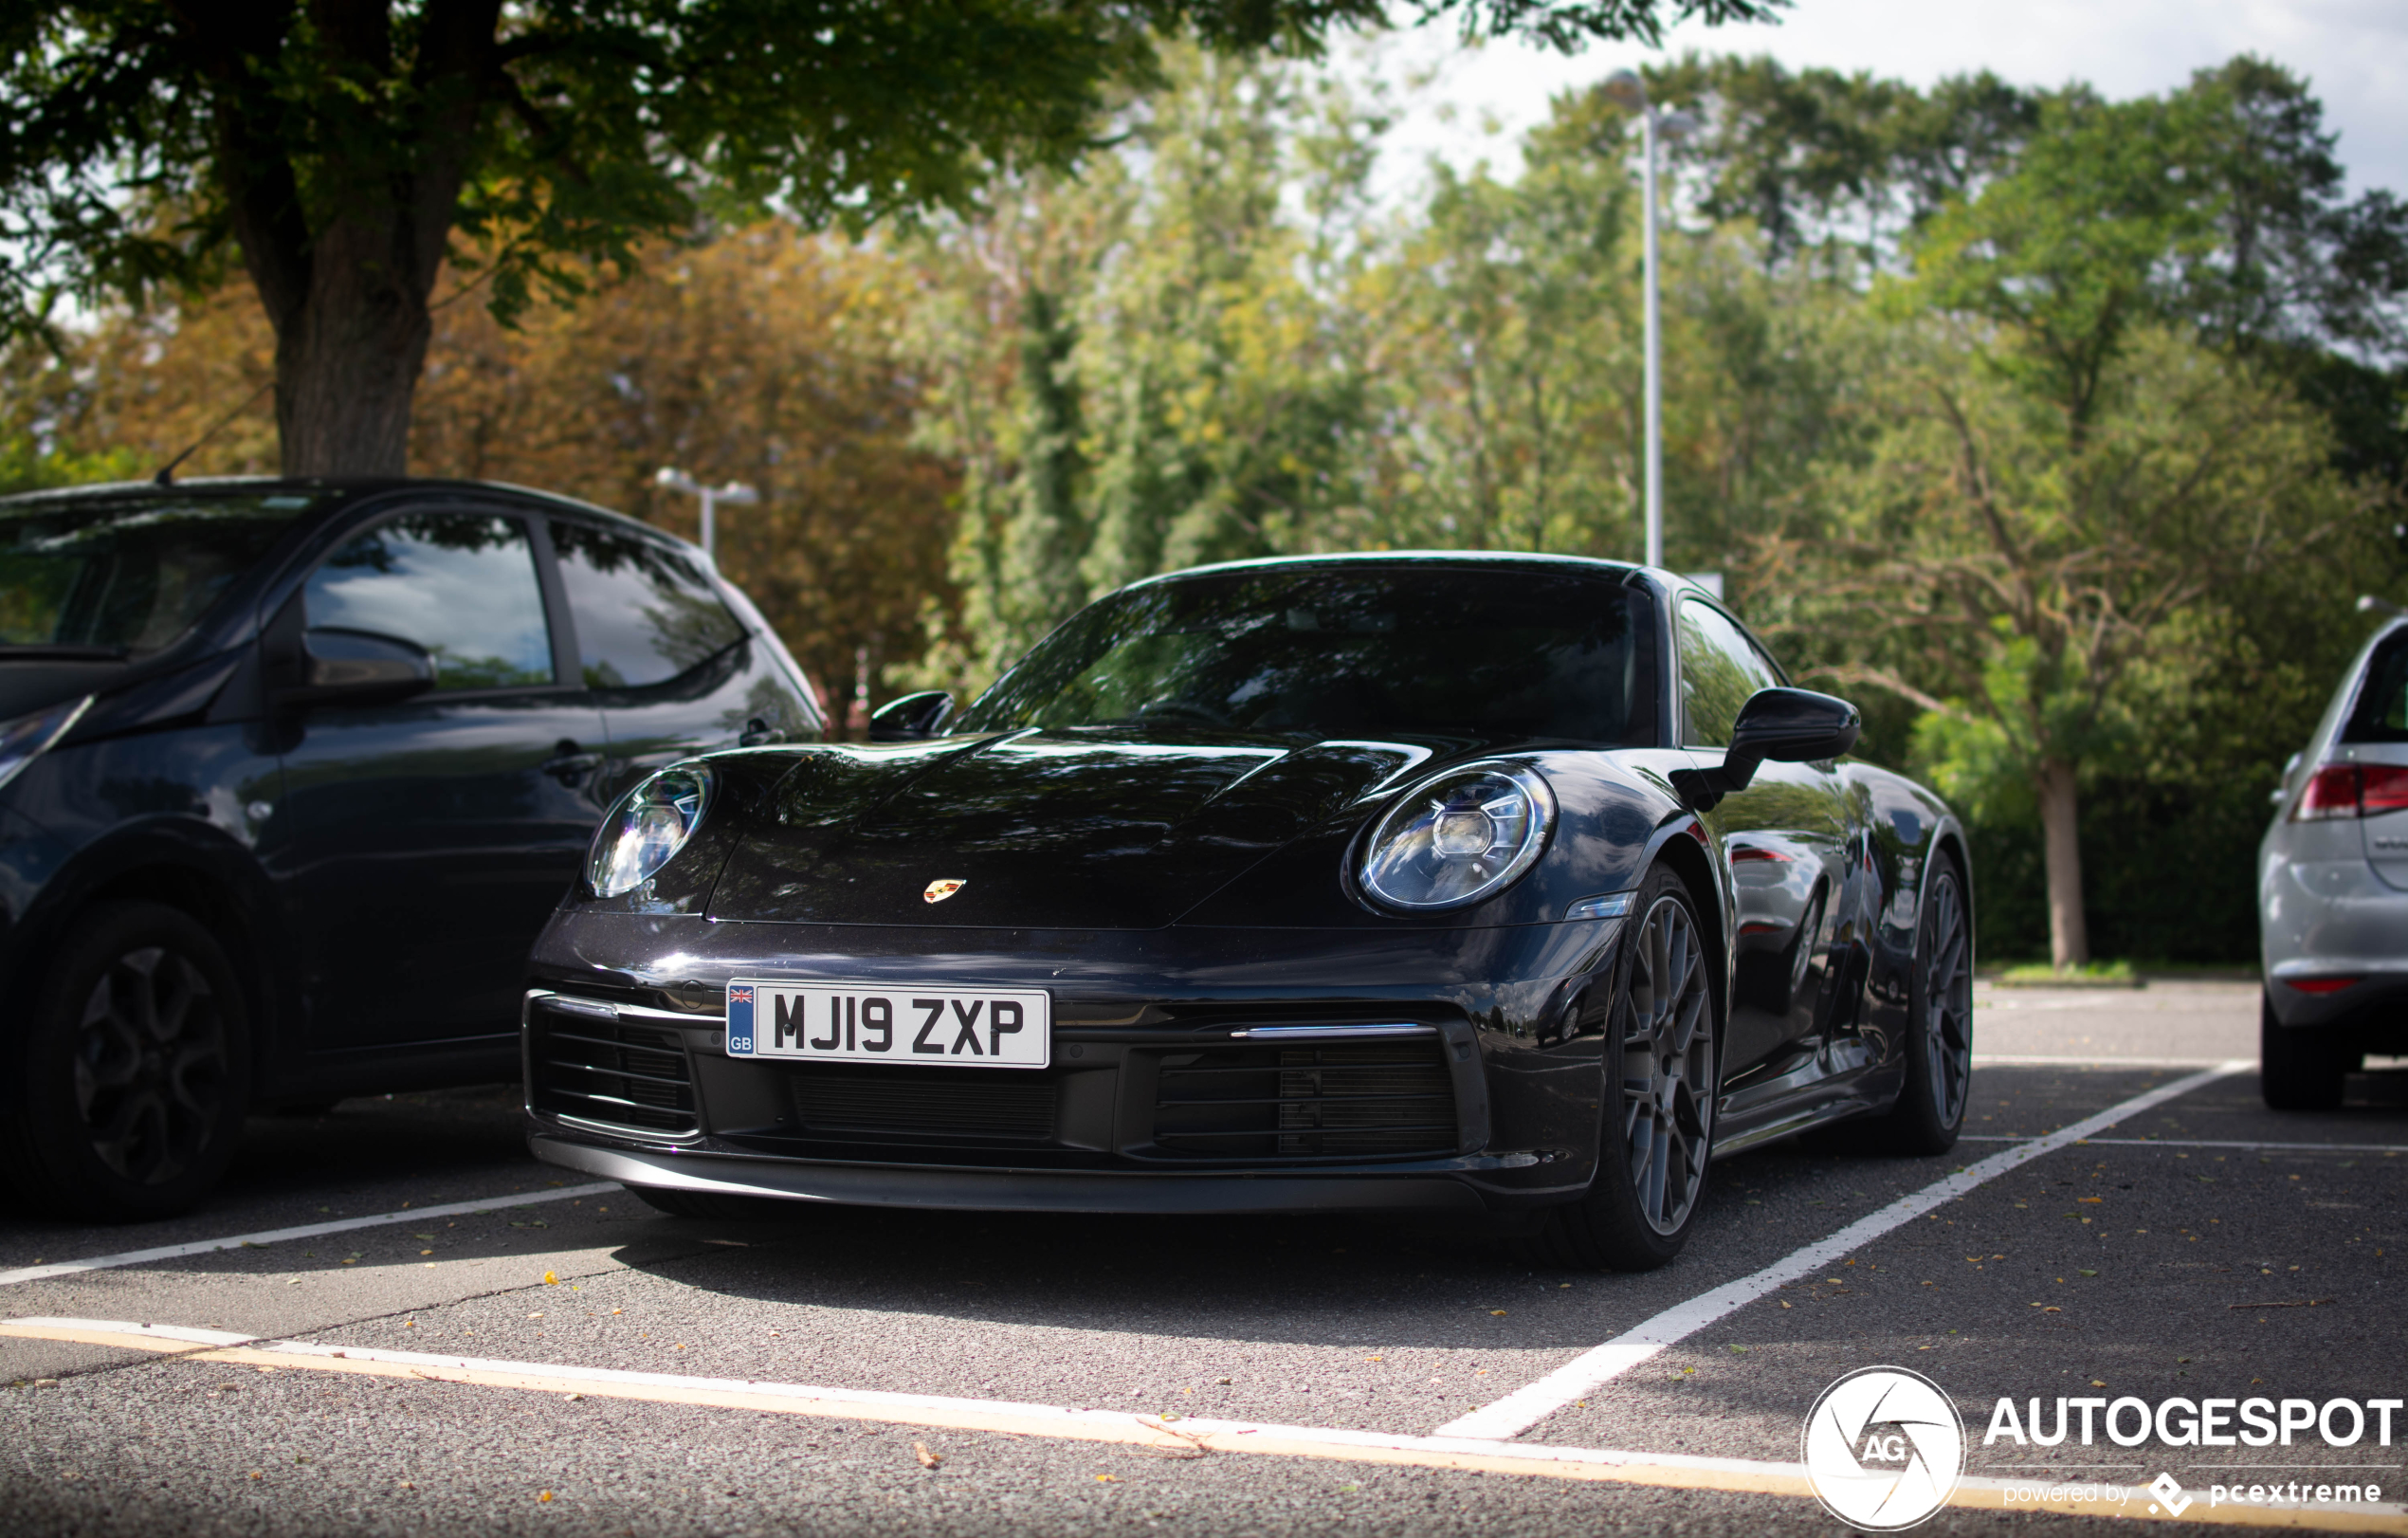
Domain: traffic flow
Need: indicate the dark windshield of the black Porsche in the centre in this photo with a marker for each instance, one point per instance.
(1345, 651)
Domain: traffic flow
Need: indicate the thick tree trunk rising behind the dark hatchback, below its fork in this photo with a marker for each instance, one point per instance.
(350, 355)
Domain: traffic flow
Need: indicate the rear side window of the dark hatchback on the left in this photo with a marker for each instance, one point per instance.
(644, 610)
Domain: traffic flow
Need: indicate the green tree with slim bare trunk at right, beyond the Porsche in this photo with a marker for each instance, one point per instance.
(2053, 593)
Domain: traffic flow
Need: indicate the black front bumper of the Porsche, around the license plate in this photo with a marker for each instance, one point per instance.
(1157, 1099)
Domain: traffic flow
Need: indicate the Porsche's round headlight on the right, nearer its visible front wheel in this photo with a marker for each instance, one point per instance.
(1460, 836)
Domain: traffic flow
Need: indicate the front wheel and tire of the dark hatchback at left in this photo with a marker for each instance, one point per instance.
(134, 1072)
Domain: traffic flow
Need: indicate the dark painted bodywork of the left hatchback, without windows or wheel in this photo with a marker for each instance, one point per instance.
(384, 904)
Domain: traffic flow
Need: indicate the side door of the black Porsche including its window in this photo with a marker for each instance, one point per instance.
(1786, 839)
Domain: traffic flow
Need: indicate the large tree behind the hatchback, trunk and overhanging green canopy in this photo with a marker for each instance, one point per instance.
(343, 146)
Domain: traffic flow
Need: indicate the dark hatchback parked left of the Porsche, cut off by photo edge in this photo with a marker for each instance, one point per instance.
(293, 776)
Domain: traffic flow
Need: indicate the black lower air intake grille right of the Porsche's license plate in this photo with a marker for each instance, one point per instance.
(1306, 1101)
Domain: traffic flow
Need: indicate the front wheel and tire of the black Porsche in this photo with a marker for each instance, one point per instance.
(1660, 1077)
